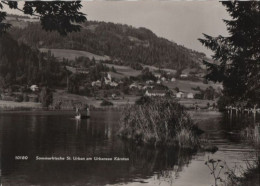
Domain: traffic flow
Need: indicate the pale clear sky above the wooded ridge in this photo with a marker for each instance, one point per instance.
(180, 21)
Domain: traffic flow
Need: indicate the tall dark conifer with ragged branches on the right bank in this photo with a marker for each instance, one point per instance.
(237, 55)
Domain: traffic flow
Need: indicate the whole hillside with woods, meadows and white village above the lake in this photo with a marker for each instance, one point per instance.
(85, 72)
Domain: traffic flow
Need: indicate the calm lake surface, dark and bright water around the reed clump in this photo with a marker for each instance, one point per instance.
(47, 134)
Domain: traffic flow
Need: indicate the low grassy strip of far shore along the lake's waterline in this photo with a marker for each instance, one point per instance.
(68, 101)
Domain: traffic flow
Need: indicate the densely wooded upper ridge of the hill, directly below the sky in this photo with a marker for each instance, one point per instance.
(122, 43)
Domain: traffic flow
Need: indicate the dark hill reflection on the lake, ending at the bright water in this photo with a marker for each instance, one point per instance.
(39, 134)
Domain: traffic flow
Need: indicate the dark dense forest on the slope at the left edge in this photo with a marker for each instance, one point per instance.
(27, 66)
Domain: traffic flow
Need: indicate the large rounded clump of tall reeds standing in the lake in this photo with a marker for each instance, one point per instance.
(161, 121)
